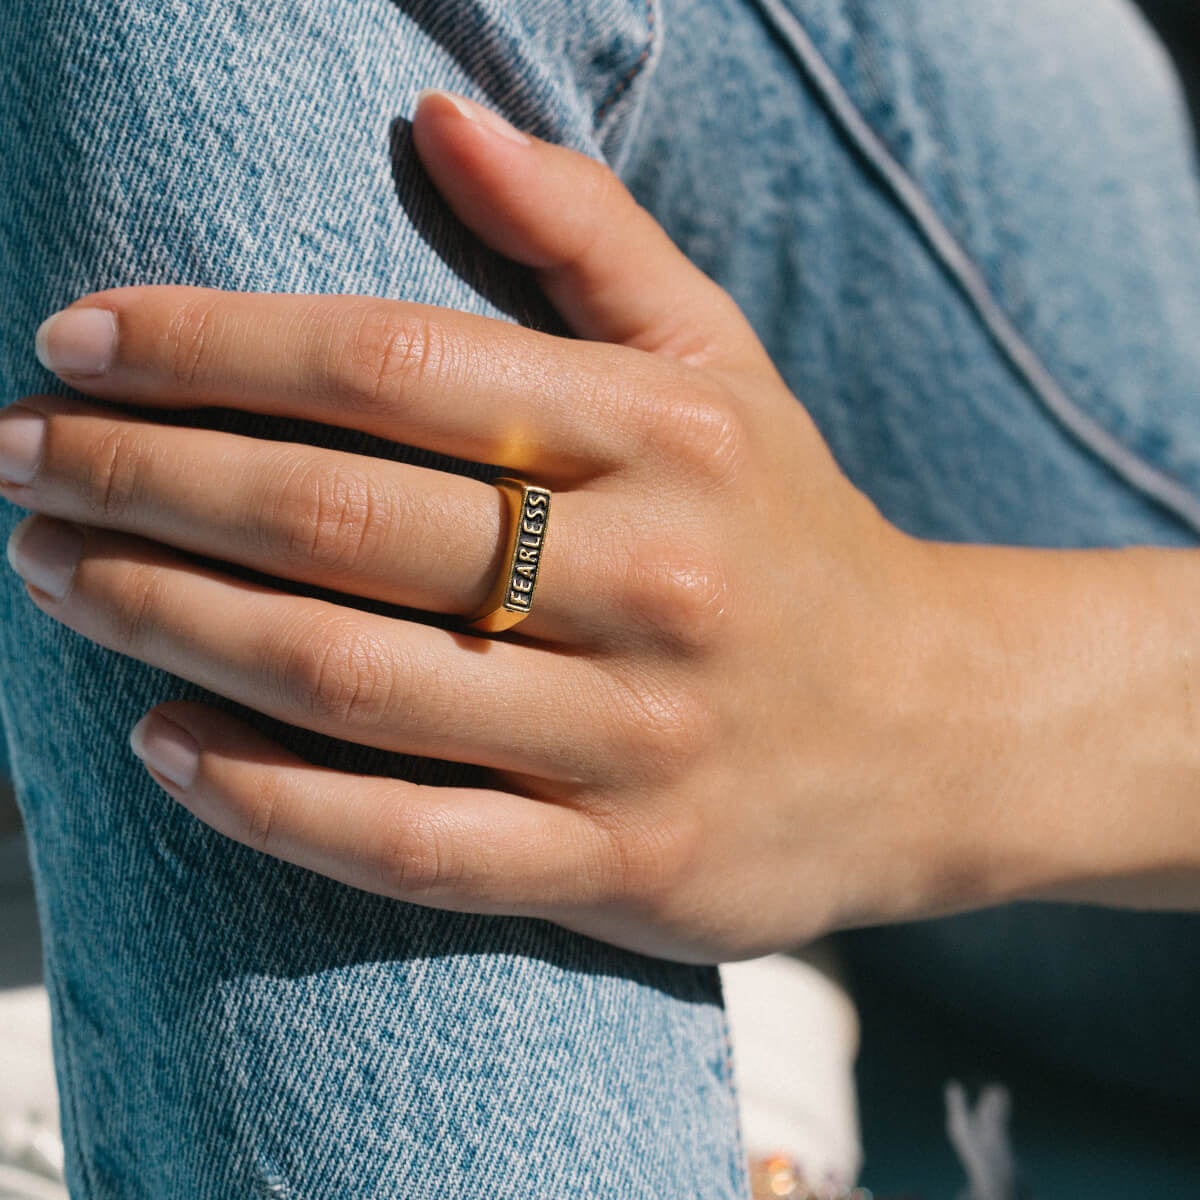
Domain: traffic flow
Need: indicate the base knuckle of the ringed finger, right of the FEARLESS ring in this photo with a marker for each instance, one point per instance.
(681, 601)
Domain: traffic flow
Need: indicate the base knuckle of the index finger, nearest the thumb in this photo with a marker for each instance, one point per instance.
(701, 431)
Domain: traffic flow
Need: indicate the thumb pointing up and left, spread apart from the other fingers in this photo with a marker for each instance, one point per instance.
(607, 265)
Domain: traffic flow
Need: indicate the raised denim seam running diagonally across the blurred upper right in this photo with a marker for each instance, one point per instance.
(956, 261)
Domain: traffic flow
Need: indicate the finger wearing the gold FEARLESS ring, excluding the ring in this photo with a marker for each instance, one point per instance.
(403, 535)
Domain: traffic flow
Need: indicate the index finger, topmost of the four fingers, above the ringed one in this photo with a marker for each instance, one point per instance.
(445, 381)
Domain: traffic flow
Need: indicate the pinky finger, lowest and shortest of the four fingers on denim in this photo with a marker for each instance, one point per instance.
(470, 850)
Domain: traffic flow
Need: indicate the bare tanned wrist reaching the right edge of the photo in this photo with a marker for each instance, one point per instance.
(1063, 693)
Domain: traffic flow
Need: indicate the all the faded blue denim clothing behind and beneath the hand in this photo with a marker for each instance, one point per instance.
(969, 237)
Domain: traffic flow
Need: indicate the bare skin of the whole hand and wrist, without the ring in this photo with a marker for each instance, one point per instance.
(746, 710)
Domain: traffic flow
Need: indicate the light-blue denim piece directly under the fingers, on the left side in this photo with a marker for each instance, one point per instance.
(229, 1025)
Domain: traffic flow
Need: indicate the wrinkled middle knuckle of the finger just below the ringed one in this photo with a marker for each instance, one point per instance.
(338, 673)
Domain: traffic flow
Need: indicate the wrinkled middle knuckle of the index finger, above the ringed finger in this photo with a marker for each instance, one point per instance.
(387, 353)
